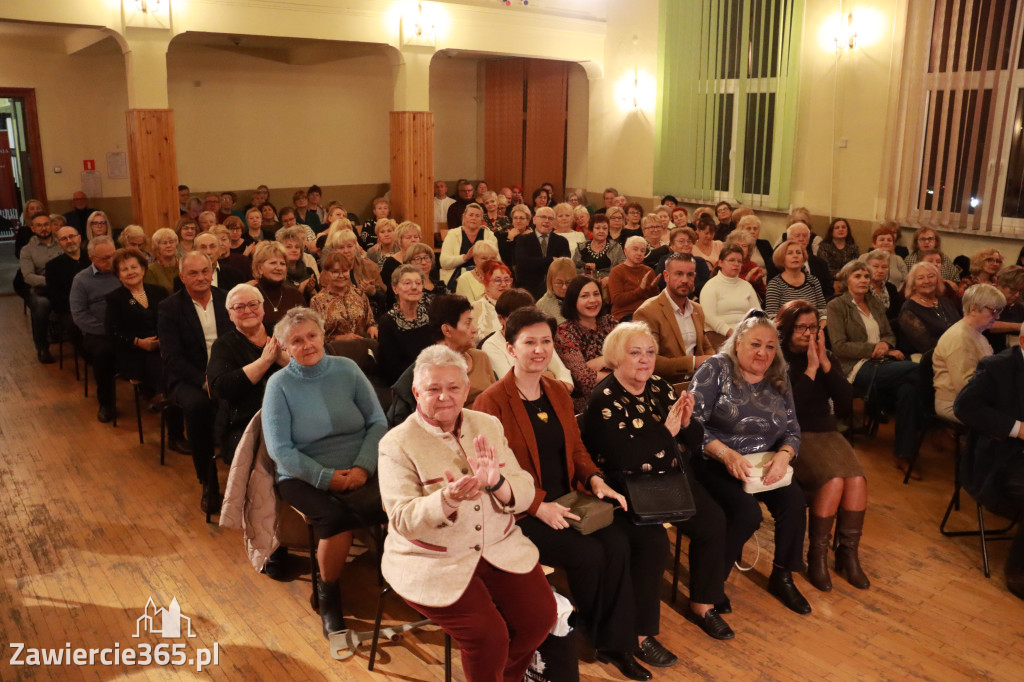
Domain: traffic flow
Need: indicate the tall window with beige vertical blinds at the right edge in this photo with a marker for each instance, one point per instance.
(962, 159)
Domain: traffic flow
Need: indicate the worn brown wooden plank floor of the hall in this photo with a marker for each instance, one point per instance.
(93, 528)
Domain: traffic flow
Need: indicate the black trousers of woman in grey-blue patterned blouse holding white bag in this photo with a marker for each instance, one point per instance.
(743, 513)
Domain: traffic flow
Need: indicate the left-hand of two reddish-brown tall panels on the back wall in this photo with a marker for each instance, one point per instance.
(503, 122)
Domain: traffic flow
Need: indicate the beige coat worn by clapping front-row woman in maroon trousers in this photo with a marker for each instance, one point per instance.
(430, 559)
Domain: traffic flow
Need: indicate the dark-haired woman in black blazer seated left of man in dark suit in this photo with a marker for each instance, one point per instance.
(132, 321)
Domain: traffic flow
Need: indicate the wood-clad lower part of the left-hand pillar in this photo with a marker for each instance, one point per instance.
(153, 167)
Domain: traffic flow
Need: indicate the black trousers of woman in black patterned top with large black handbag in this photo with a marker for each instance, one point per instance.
(707, 531)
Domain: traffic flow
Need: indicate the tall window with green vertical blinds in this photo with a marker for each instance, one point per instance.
(728, 100)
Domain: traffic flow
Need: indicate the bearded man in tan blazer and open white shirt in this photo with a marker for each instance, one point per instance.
(676, 322)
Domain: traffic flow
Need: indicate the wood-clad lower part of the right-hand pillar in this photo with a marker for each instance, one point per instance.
(412, 136)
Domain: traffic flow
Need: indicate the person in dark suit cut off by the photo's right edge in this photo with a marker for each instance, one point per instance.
(993, 407)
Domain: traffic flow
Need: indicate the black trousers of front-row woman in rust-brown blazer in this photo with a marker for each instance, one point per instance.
(615, 576)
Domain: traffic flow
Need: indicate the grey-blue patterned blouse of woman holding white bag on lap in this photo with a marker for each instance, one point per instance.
(747, 418)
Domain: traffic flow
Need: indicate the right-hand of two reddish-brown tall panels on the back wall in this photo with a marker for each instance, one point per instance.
(544, 155)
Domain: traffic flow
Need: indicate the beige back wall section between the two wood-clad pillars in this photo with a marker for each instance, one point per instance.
(252, 121)
